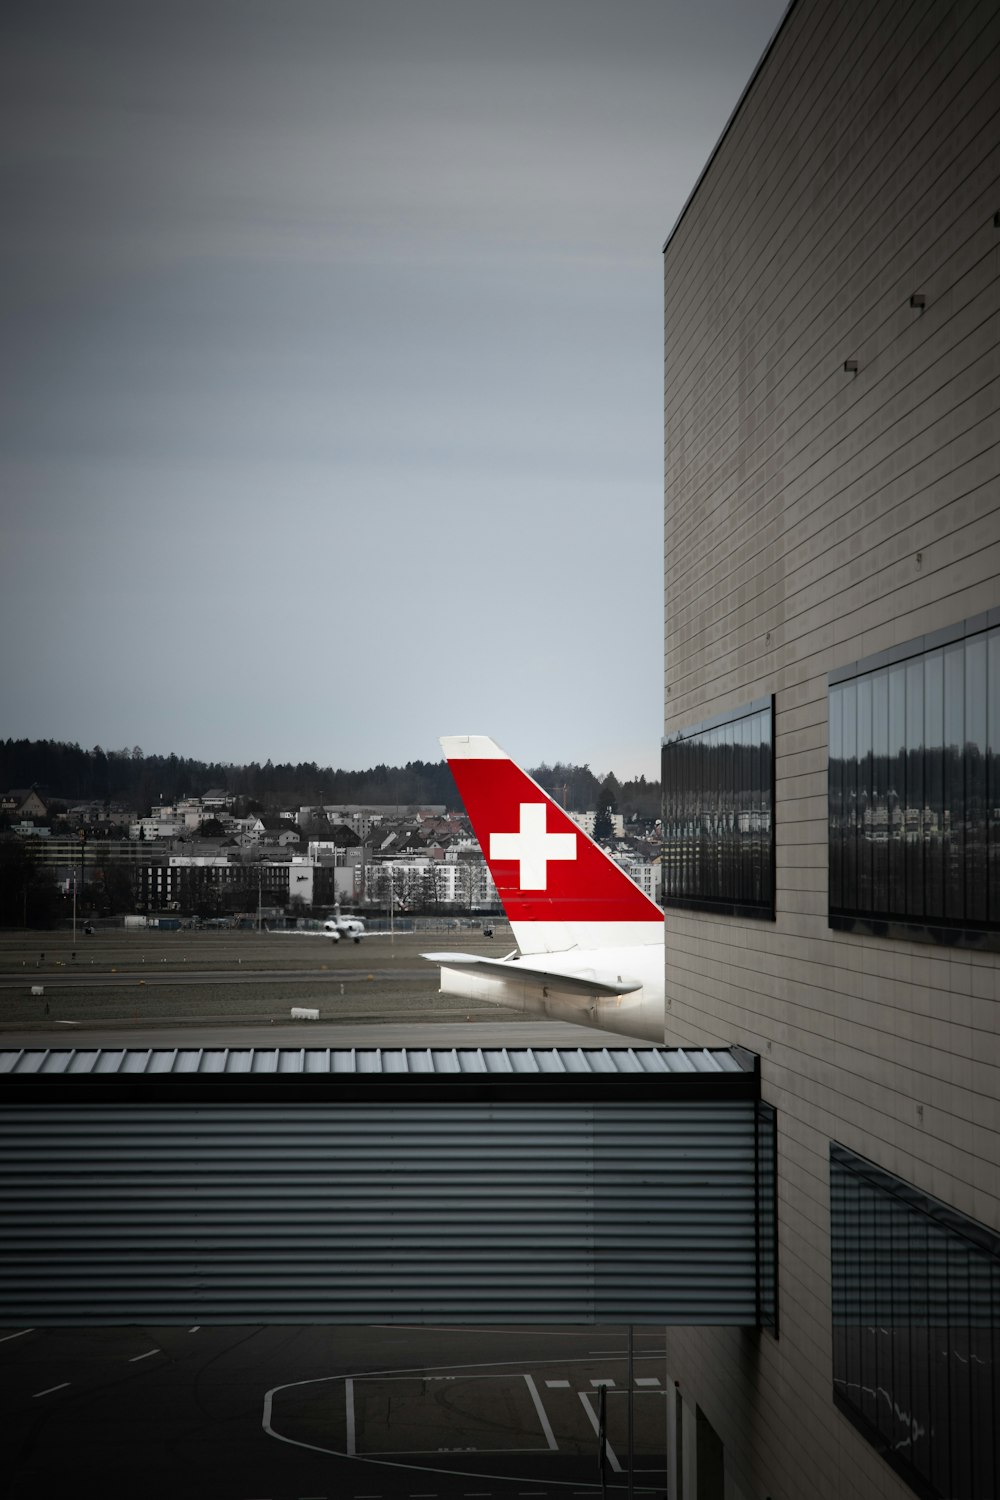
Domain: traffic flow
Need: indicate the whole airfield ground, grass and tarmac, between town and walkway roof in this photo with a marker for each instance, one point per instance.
(238, 989)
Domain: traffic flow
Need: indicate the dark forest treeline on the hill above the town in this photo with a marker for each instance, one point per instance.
(139, 781)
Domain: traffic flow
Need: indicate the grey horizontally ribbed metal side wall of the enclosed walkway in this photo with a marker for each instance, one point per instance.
(346, 1213)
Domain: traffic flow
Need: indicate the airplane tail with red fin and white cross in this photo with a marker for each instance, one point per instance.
(590, 941)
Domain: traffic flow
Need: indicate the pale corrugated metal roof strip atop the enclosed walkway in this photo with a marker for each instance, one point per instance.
(380, 1061)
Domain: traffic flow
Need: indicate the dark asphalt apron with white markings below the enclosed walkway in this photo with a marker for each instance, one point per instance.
(286, 1414)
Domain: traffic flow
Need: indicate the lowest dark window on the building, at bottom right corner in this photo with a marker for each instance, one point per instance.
(917, 1330)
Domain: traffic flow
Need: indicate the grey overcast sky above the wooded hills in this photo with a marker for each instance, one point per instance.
(331, 364)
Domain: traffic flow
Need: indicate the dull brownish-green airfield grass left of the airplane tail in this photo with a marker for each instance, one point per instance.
(164, 977)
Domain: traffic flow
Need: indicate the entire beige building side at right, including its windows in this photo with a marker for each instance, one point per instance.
(833, 740)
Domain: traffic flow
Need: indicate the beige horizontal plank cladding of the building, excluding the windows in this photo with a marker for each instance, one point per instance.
(815, 517)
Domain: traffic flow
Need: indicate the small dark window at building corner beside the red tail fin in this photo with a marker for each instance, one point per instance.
(719, 814)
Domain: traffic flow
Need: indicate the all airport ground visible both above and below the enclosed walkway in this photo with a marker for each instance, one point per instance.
(283, 1414)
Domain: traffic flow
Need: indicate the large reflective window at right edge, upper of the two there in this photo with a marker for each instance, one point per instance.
(915, 793)
